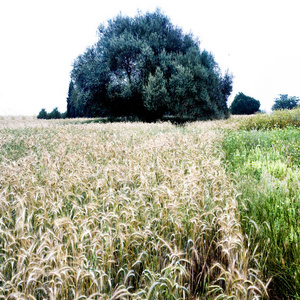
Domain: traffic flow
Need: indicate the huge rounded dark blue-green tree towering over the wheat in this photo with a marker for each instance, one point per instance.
(146, 67)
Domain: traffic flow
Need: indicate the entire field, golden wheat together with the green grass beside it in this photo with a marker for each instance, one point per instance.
(209, 210)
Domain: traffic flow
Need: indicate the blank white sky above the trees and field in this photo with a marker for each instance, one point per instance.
(257, 40)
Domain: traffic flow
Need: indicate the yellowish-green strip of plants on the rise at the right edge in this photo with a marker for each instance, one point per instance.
(278, 119)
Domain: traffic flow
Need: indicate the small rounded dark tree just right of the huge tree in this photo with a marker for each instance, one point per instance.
(244, 105)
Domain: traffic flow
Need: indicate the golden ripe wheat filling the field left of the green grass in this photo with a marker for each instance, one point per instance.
(119, 211)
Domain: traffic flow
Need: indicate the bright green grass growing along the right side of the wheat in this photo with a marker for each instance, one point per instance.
(266, 168)
